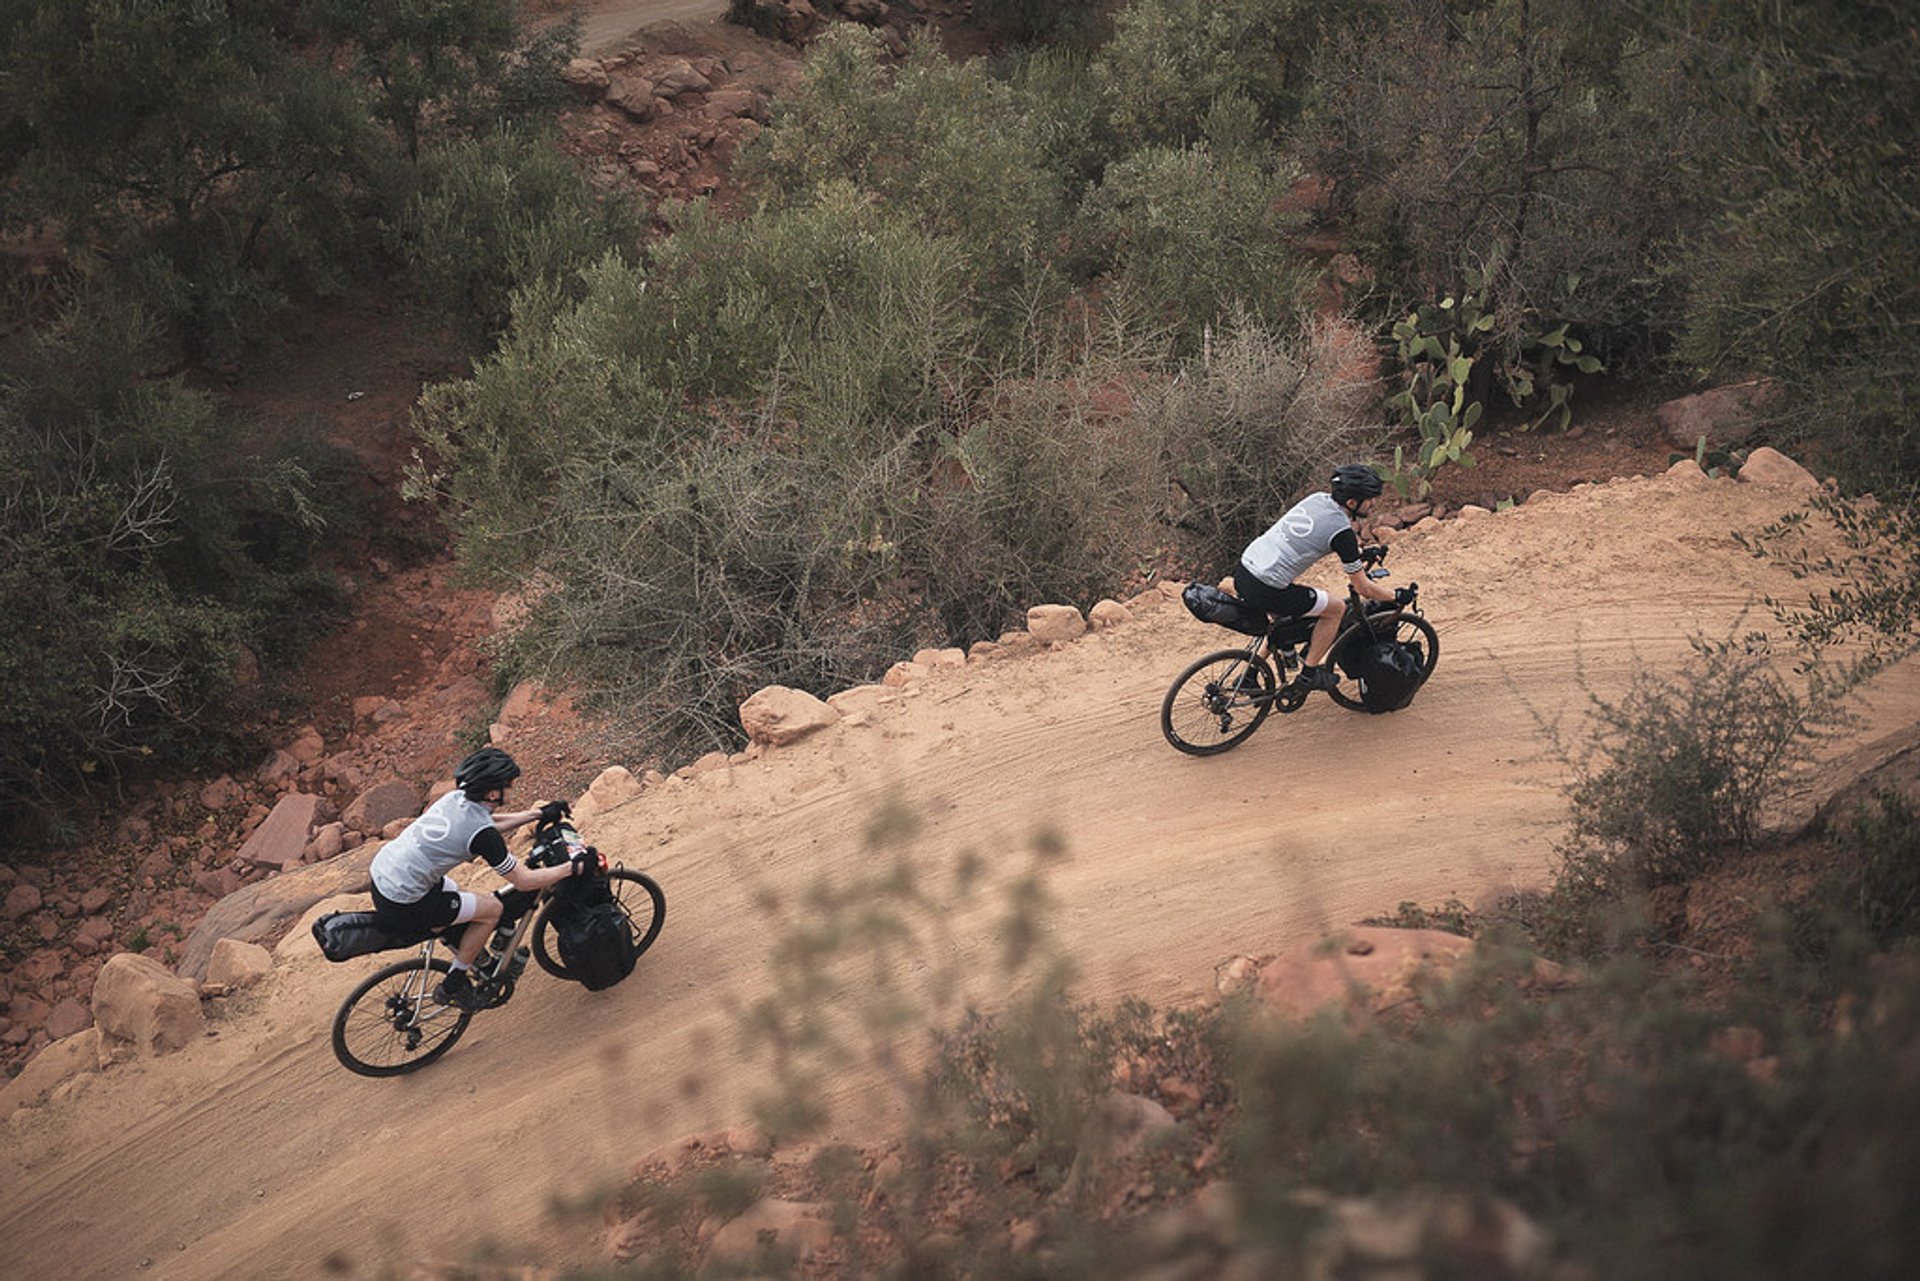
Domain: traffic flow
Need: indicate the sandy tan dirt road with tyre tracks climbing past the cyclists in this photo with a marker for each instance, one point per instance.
(254, 1155)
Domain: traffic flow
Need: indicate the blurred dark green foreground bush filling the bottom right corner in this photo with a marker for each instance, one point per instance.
(1646, 1134)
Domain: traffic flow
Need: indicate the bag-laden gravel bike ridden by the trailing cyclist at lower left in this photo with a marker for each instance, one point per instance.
(391, 1025)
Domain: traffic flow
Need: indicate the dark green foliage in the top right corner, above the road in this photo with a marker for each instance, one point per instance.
(1800, 268)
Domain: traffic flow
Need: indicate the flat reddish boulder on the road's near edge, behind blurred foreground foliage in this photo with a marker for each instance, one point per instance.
(1366, 969)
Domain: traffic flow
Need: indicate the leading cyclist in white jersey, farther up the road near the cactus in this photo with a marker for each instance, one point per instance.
(1318, 525)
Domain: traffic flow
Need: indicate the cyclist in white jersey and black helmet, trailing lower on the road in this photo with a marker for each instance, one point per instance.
(410, 875)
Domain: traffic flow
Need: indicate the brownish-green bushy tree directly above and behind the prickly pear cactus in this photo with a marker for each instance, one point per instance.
(1533, 143)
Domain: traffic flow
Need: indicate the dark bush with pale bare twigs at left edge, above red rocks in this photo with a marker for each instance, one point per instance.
(151, 544)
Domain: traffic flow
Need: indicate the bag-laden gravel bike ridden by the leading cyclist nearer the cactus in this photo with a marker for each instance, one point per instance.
(1222, 698)
